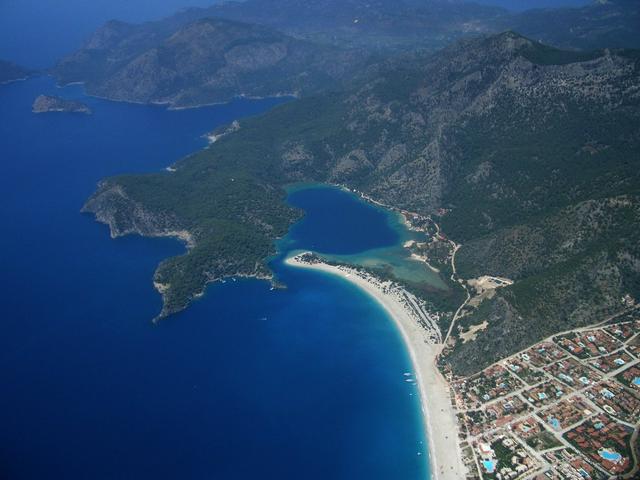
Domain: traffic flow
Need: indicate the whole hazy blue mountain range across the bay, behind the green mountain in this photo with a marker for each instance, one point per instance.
(192, 59)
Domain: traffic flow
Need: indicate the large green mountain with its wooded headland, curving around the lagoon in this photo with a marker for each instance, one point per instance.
(531, 151)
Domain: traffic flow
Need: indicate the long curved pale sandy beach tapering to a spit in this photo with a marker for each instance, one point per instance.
(422, 344)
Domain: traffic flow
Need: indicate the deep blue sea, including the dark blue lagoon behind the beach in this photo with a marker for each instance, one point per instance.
(301, 383)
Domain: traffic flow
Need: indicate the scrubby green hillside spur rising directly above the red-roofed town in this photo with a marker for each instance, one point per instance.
(571, 268)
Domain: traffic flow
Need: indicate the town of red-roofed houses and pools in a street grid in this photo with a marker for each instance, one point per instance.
(565, 408)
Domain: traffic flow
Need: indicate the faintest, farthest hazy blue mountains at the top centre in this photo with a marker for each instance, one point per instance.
(370, 23)
